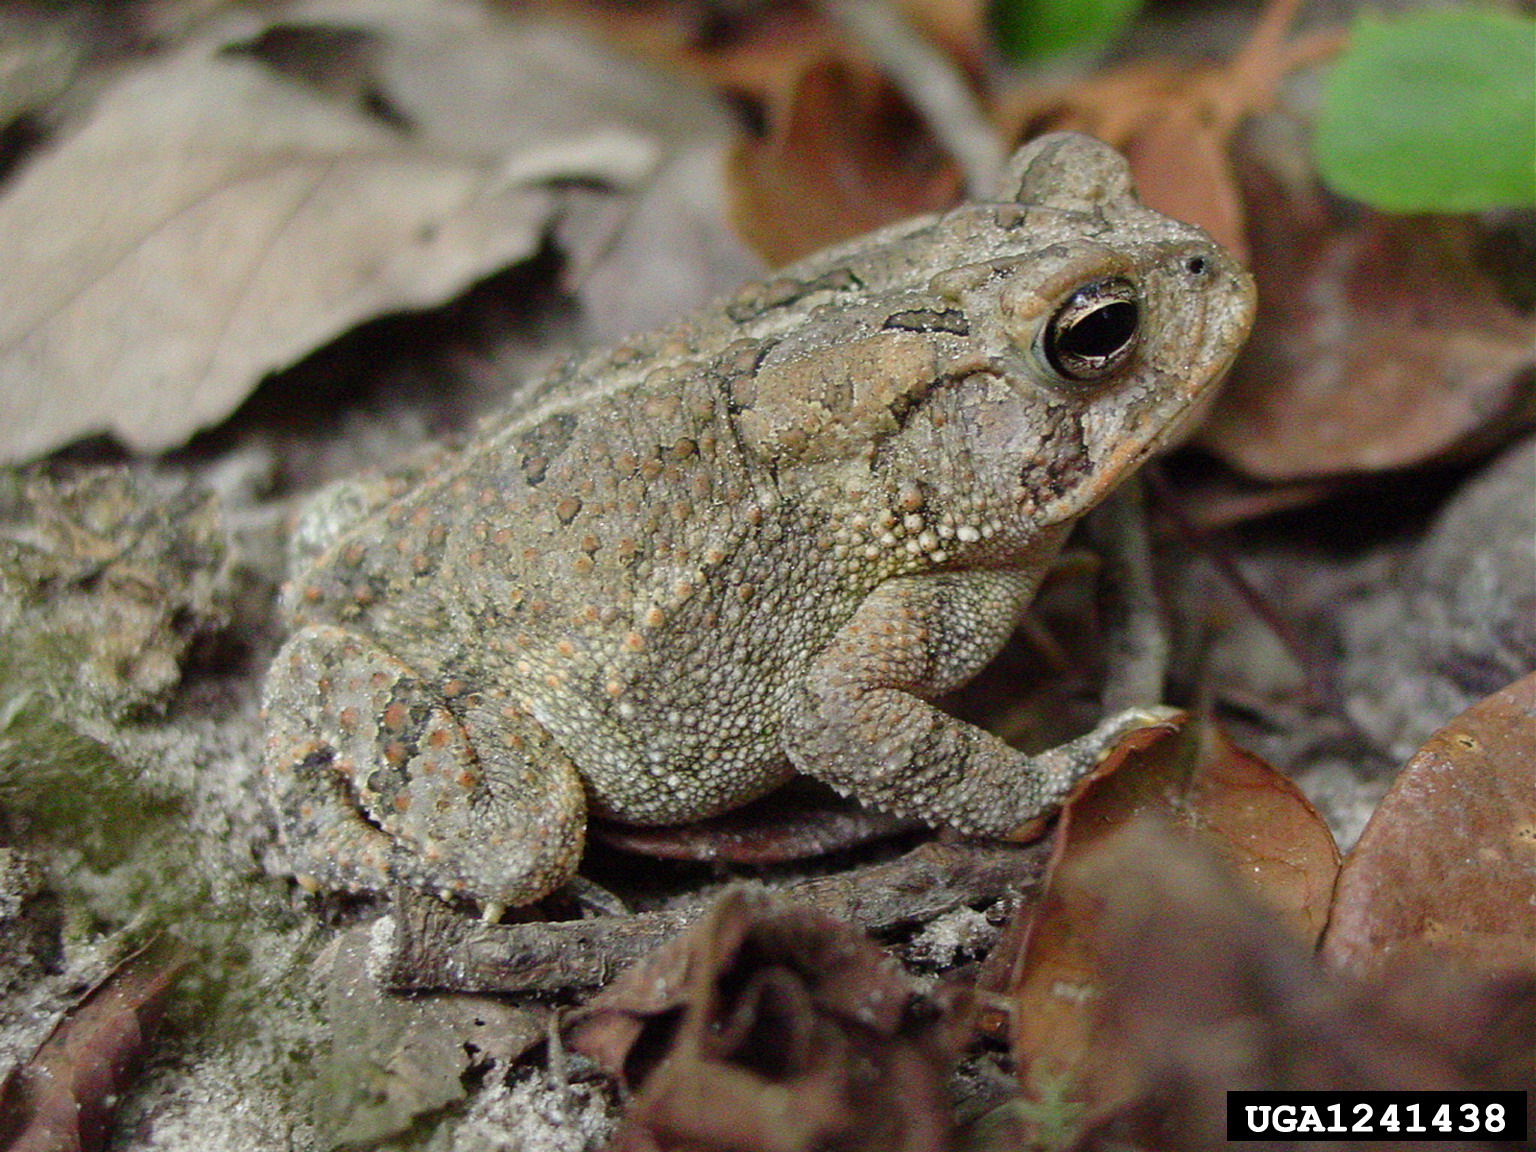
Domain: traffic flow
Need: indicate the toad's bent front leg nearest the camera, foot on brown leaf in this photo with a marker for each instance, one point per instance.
(861, 718)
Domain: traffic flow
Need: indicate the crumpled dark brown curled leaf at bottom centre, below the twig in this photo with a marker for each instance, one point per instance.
(772, 1028)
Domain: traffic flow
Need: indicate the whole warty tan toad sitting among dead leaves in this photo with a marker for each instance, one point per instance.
(753, 543)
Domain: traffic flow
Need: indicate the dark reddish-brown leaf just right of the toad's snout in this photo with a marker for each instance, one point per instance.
(1380, 345)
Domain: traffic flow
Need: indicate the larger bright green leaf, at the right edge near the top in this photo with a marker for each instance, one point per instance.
(1435, 113)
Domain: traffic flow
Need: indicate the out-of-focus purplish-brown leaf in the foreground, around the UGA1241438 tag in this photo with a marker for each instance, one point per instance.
(1210, 995)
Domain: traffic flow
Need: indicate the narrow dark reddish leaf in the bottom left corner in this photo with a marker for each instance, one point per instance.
(64, 1099)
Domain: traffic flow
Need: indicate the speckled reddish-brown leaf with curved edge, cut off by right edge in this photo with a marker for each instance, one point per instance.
(1448, 862)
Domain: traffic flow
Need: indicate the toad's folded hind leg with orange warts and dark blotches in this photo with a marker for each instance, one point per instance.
(382, 778)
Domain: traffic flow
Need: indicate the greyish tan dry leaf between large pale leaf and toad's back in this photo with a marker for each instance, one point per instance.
(638, 154)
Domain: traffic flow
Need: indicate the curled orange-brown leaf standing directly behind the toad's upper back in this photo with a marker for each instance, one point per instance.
(844, 154)
